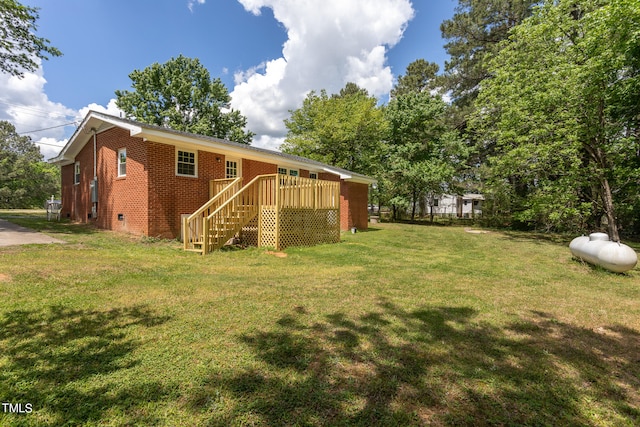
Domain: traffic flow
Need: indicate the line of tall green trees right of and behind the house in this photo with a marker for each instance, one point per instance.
(543, 119)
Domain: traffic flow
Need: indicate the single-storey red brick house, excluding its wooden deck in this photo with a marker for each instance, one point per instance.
(129, 176)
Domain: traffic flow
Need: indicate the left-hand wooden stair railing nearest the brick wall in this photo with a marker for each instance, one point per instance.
(192, 227)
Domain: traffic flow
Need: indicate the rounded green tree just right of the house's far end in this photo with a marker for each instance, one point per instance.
(423, 155)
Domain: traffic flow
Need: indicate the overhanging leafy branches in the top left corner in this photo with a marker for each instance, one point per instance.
(19, 46)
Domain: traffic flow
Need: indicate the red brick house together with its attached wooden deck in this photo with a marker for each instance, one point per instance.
(129, 176)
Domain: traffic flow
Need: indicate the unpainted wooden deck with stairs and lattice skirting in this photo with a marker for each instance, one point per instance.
(272, 211)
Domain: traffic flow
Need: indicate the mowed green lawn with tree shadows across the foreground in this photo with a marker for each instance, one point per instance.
(402, 325)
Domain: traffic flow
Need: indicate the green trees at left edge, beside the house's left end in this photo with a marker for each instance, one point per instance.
(26, 181)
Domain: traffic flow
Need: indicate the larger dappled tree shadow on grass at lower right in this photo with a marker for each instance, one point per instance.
(432, 366)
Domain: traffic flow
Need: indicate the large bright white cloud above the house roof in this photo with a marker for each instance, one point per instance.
(330, 43)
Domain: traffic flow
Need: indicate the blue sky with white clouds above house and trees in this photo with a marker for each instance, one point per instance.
(269, 54)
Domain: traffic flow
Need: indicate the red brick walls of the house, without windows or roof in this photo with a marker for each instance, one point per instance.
(151, 198)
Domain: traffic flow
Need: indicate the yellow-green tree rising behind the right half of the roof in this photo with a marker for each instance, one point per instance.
(344, 130)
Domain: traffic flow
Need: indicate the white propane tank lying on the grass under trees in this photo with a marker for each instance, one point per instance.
(597, 249)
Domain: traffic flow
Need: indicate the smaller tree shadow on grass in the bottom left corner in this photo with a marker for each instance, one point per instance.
(51, 359)
